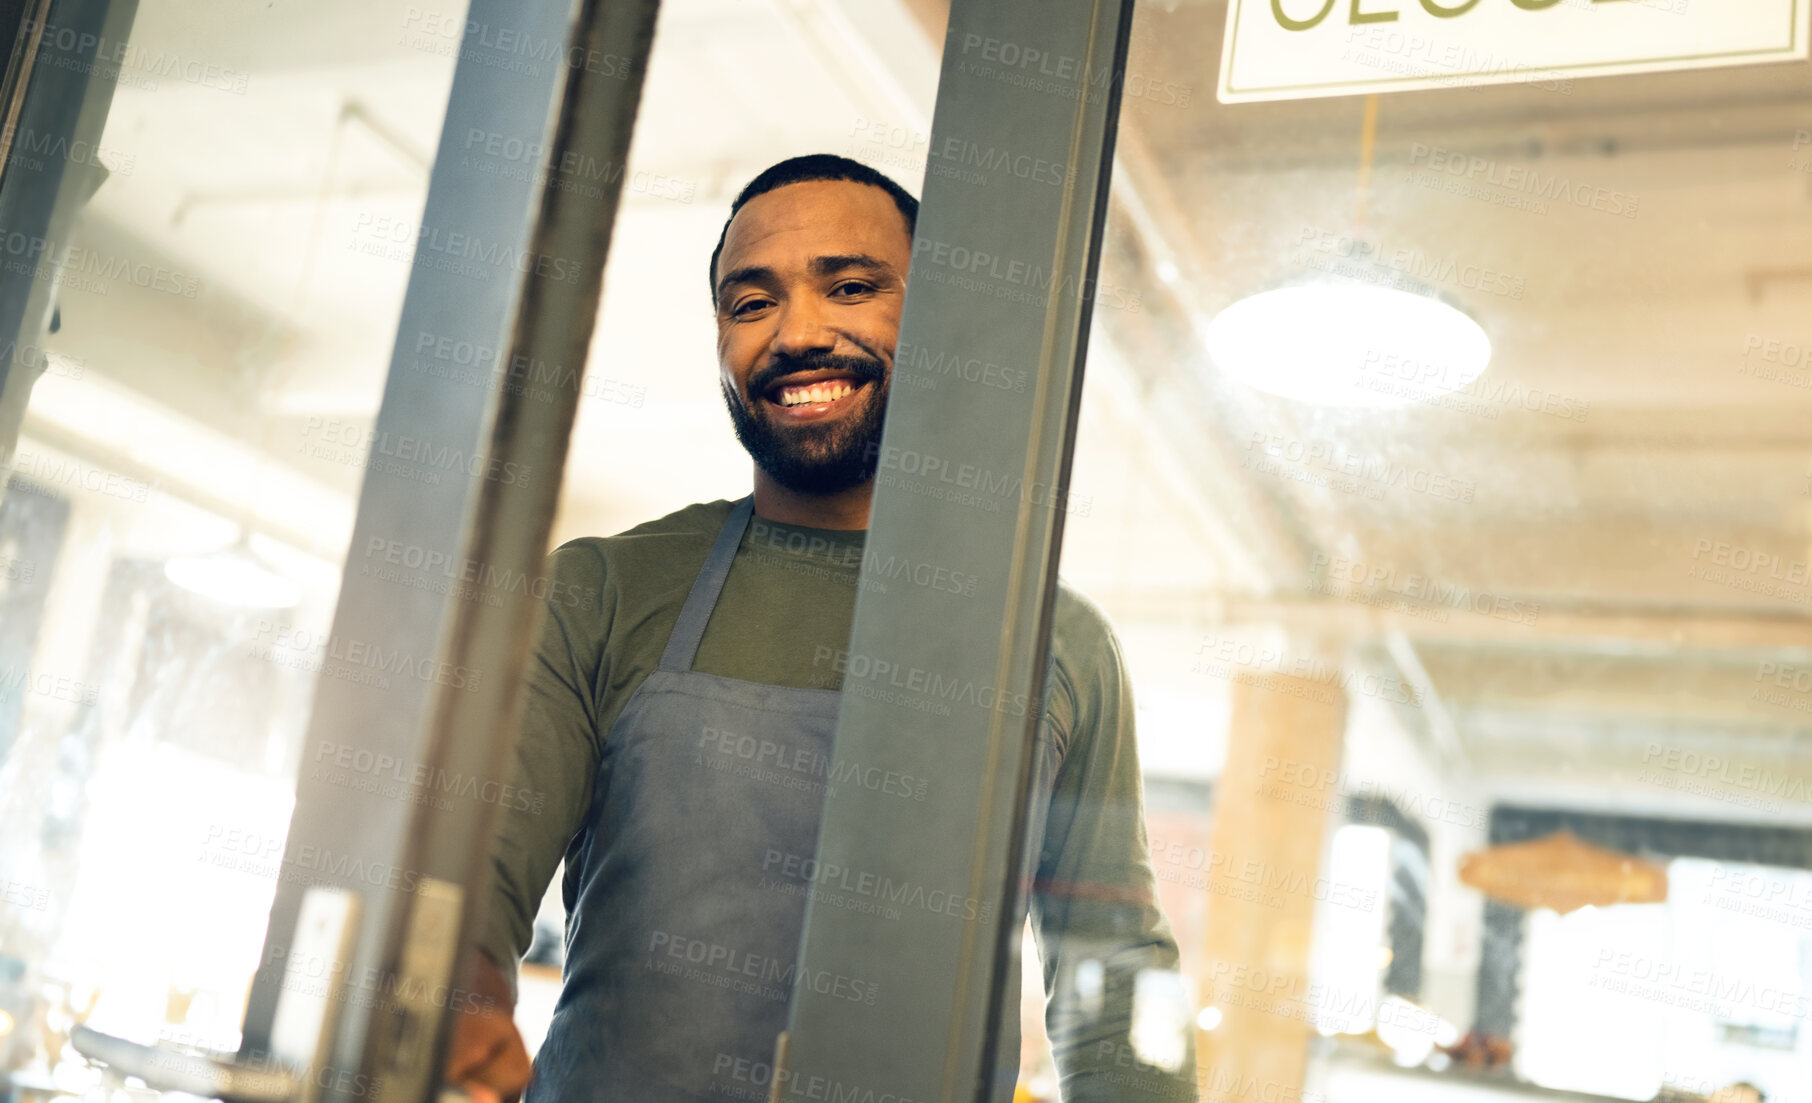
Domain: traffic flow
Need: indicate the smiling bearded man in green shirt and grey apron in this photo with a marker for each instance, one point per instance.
(708, 640)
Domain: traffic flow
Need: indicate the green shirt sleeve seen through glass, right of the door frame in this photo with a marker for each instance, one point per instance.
(1106, 946)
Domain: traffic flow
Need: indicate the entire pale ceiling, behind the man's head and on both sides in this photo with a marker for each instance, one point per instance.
(1652, 452)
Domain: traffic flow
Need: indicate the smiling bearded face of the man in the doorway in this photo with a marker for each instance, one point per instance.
(809, 311)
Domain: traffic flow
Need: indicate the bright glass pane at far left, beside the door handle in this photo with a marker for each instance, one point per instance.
(173, 532)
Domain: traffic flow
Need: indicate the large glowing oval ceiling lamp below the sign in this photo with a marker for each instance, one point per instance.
(1349, 343)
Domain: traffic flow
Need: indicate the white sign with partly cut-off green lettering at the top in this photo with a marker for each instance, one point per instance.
(1302, 50)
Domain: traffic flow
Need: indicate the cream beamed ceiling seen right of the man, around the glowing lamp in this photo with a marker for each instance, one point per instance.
(1619, 446)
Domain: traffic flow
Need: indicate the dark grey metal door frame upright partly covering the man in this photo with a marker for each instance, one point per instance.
(974, 479)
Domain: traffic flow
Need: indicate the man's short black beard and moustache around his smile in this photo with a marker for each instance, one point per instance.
(820, 457)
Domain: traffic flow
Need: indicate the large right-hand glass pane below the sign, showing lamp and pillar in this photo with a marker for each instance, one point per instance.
(1460, 497)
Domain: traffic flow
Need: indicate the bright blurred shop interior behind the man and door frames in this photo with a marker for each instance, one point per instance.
(1474, 707)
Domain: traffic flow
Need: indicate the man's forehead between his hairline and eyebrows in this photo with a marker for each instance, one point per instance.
(822, 216)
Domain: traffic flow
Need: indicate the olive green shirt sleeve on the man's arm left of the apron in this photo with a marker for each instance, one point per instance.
(557, 754)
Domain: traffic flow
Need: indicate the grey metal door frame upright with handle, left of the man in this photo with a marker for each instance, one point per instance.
(543, 254)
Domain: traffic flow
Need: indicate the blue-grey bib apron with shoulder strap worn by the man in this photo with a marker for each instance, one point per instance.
(680, 952)
